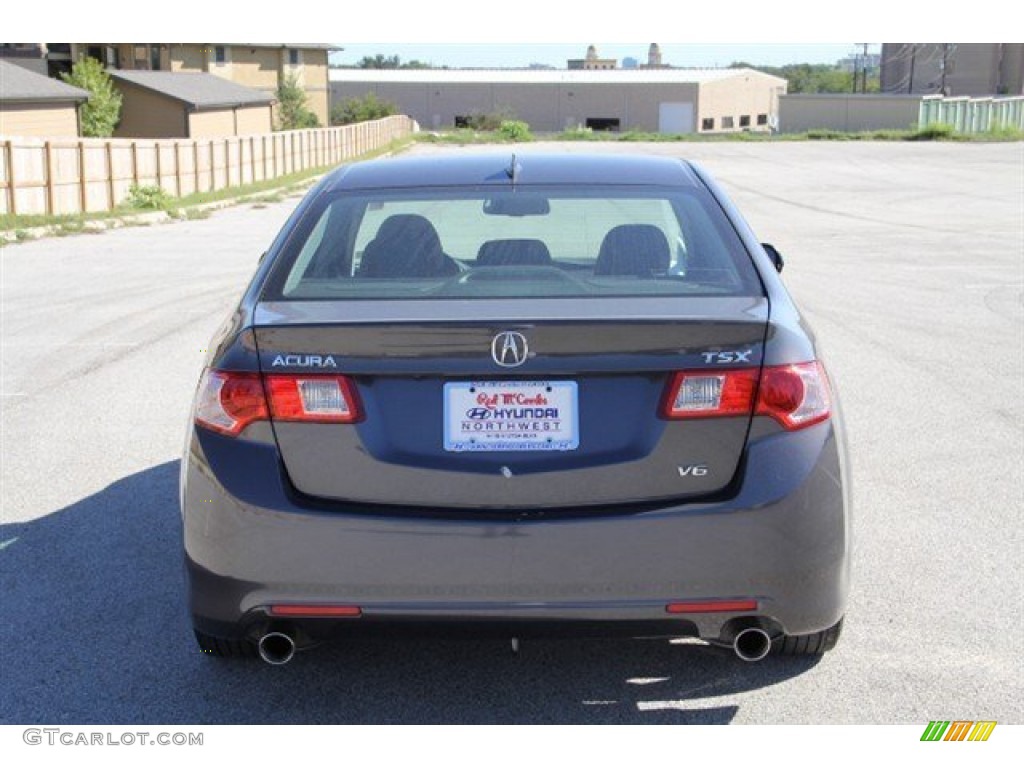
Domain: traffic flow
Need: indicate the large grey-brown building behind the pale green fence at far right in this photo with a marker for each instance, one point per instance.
(954, 69)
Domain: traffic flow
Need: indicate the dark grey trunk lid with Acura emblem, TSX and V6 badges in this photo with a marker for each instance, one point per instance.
(449, 420)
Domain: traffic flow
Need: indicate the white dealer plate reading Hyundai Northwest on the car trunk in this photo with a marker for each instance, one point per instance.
(511, 416)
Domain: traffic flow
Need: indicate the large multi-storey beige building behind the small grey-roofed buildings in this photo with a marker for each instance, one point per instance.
(260, 66)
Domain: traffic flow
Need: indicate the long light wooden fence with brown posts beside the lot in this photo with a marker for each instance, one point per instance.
(68, 176)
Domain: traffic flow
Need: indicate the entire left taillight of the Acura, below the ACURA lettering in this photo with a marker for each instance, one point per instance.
(229, 402)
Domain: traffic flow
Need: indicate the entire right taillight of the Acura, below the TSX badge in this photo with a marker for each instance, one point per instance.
(795, 396)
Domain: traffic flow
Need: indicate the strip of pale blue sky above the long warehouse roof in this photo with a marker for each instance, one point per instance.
(556, 55)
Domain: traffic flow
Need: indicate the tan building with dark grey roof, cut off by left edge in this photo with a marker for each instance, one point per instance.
(32, 105)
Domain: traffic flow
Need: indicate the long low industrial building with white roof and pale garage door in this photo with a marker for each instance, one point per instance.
(667, 101)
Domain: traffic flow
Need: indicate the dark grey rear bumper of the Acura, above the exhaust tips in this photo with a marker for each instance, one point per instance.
(782, 540)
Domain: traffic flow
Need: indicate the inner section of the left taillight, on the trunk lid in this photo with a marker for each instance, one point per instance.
(313, 399)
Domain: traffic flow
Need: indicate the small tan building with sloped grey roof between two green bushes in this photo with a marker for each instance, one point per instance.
(169, 105)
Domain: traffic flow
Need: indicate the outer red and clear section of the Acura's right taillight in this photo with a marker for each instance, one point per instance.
(796, 396)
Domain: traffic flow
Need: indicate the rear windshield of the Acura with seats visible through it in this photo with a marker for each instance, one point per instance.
(528, 242)
